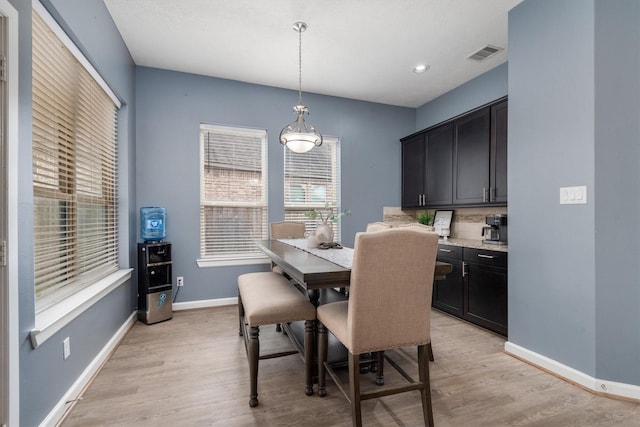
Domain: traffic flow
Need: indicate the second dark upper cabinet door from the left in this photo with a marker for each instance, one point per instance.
(439, 166)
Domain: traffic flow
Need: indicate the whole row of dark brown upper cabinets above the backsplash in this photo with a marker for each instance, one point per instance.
(461, 162)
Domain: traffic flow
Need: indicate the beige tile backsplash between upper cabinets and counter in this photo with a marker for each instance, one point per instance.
(466, 223)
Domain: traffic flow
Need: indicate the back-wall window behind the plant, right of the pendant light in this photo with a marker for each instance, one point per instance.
(312, 181)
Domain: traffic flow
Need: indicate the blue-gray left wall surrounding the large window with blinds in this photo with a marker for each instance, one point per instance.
(44, 375)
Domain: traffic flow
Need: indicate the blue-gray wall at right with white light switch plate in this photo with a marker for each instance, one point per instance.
(573, 114)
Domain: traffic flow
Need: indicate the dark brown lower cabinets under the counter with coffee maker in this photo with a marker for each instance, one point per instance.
(476, 289)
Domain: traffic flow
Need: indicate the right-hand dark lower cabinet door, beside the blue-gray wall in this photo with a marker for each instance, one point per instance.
(486, 297)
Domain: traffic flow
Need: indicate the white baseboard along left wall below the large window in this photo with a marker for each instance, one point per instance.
(56, 414)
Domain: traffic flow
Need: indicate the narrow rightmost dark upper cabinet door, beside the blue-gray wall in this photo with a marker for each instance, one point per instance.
(498, 193)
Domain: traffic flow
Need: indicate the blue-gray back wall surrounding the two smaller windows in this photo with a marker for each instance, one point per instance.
(170, 108)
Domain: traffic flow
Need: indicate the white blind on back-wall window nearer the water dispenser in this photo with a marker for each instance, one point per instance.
(233, 191)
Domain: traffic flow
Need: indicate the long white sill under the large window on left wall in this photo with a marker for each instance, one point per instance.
(51, 320)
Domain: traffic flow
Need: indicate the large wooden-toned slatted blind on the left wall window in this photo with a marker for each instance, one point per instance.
(74, 170)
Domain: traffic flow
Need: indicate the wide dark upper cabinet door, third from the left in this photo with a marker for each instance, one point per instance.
(471, 158)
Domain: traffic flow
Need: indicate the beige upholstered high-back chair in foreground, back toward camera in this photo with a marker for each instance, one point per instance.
(389, 307)
